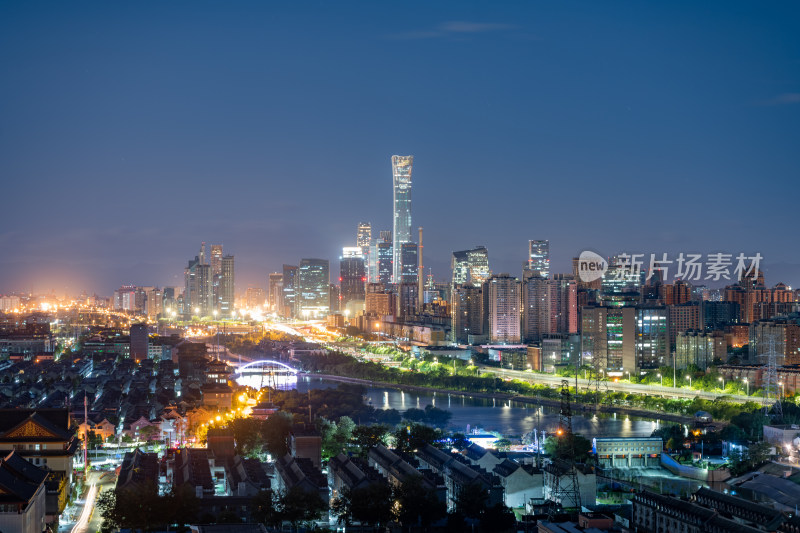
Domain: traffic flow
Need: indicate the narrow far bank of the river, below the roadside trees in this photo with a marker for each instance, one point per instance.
(577, 408)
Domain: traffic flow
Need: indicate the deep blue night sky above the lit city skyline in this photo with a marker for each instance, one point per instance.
(132, 131)
